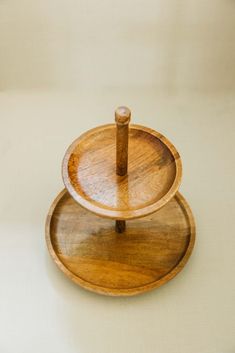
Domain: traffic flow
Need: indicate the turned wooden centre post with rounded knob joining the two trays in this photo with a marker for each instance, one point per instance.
(122, 118)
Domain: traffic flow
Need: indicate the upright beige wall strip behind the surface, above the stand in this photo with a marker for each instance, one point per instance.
(169, 45)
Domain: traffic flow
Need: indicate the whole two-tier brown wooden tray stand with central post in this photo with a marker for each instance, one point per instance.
(121, 227)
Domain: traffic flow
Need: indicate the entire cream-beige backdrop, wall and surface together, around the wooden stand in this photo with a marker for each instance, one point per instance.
(64, 67)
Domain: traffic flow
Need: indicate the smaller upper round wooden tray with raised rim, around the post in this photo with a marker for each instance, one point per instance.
(154, 172)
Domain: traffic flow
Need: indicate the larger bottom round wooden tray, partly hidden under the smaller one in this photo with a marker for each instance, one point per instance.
(150, 252)
